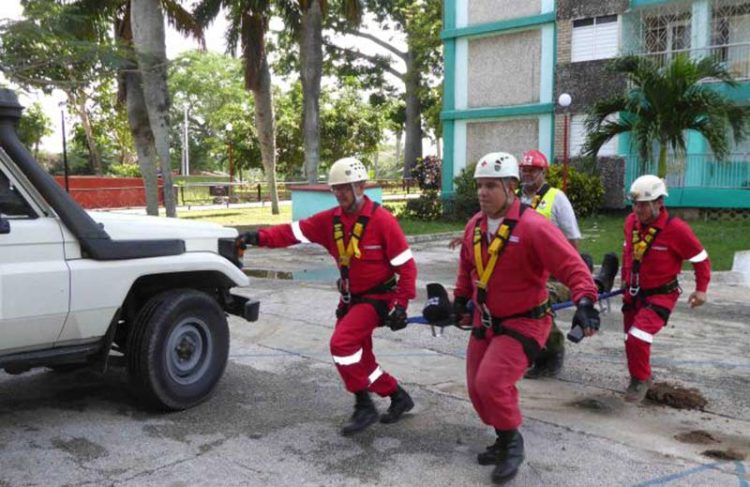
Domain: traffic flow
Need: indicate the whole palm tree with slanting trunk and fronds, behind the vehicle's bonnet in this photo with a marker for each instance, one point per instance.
(248, 26)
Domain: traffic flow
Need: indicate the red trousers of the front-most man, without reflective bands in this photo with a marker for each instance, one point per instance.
(493, 366)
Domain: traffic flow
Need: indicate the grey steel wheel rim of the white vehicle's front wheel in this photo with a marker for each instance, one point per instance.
(189, 350)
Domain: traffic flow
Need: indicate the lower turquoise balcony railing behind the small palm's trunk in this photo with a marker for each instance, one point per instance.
(697, 170)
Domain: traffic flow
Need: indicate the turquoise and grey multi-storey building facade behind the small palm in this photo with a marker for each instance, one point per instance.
(507, 61)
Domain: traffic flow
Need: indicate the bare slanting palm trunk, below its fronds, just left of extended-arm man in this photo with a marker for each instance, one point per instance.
(265, 124)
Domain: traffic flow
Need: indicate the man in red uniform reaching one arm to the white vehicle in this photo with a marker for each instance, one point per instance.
(378, 278)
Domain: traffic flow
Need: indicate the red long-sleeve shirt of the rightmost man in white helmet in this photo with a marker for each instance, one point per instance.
(674, 244)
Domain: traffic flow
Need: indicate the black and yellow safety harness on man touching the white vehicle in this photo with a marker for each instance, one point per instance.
(346, 253)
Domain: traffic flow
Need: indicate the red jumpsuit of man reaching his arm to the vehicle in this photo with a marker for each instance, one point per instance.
(384, 252)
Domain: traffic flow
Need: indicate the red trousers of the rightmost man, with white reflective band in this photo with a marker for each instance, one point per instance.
(641, 325)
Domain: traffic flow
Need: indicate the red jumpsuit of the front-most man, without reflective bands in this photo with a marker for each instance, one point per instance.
(535, 250)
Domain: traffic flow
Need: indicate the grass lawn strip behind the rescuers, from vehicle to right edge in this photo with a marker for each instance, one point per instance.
(601, 233)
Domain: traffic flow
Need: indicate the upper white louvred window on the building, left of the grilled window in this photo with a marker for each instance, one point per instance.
(595, 38)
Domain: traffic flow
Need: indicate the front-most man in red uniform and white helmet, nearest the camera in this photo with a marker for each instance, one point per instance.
(507, 255)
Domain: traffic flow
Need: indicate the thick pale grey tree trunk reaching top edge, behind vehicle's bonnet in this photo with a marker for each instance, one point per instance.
(149, 43)
